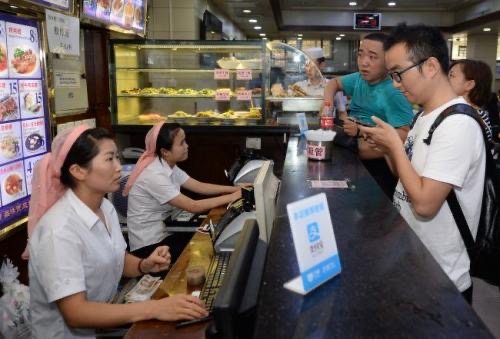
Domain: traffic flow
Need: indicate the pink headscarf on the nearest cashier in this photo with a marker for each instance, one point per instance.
(46, 185)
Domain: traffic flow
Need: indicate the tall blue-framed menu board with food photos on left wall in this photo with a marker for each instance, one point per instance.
(24, 124)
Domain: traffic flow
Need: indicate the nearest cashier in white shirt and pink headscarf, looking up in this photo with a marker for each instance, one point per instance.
(77, 251)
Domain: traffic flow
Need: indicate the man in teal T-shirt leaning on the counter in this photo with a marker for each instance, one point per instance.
(372, 94)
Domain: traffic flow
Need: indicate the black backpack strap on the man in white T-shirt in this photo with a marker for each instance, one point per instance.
(452, 200)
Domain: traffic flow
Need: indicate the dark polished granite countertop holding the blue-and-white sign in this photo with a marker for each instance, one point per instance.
(390, 285)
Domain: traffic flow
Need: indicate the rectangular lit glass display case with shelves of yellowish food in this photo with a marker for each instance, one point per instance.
(191, 82)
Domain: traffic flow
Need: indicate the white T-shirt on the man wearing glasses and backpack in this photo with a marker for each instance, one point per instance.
(456, 155)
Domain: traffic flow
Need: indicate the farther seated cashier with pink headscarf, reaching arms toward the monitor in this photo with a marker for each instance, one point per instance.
(154, 192)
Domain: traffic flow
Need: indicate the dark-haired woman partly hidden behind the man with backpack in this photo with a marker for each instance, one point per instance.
(472, 79)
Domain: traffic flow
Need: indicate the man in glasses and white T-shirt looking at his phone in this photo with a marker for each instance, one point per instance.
(417, 59)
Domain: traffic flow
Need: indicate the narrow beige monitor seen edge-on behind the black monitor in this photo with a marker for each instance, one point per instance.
(265, 187)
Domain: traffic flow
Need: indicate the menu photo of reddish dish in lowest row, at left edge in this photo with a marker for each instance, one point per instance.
(12, 182)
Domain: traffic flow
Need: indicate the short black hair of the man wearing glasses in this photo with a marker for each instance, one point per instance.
(422, 42)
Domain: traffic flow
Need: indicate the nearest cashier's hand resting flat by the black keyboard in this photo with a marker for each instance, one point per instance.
(179, 307)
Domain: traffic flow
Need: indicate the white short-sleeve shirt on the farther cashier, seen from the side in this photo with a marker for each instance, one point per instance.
(148, 203)
